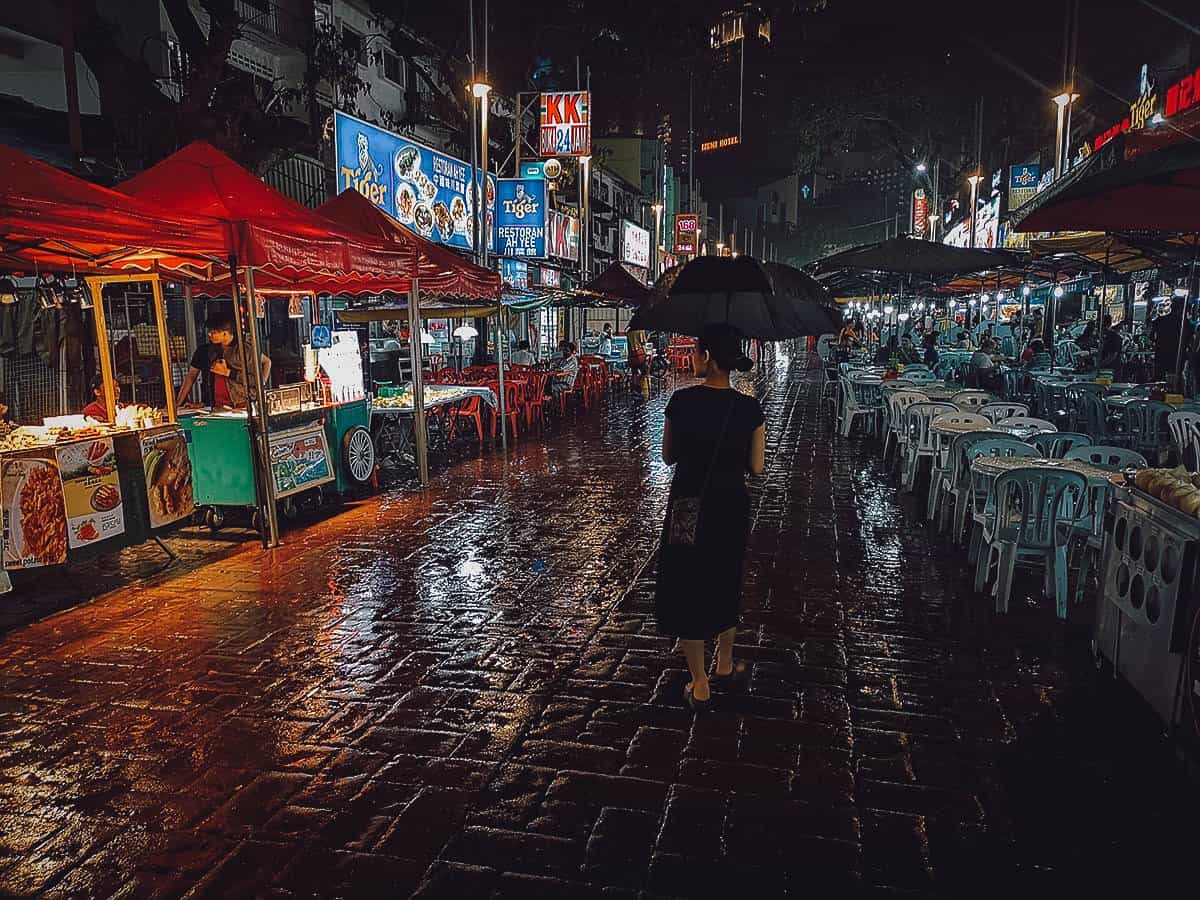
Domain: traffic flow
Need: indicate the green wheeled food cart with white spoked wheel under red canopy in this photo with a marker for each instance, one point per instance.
(319, 436)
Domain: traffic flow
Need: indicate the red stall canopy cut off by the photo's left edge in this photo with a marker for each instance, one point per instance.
(52, 220)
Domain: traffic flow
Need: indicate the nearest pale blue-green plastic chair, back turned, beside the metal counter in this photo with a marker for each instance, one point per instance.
(1039, 513)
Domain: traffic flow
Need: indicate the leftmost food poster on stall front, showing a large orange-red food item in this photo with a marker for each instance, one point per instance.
(35, 525)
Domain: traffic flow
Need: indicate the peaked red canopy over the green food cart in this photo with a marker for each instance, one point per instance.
(287, 244)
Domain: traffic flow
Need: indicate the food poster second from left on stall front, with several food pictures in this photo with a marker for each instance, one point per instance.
(92, 491)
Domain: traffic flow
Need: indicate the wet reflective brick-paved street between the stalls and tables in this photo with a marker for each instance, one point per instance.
(463, 695)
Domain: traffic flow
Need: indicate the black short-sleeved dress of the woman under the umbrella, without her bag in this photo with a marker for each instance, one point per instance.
(700, 586)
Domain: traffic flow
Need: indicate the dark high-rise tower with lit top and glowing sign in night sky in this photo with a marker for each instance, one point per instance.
(731, 97)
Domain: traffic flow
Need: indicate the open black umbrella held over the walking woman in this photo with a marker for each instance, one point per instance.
(767, 302)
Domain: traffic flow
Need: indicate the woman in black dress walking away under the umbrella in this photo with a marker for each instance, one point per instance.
(713, 435)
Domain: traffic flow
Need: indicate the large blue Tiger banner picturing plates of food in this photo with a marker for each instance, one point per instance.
(425, 191)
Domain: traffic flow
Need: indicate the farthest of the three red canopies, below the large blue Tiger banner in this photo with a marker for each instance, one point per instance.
(441, 271)
